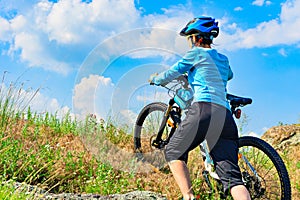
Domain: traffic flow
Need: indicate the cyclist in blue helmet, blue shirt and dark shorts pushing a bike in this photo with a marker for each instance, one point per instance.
(209, 117)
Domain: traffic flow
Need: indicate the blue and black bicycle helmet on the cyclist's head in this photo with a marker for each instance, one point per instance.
(204, 26)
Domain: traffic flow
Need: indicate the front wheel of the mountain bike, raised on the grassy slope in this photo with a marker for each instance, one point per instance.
(145, 131)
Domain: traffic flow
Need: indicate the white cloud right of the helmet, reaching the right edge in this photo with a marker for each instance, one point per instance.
(282, 30)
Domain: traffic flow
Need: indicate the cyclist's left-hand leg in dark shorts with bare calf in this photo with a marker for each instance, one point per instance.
(188, 135)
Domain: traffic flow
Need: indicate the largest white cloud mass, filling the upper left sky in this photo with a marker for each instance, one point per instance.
(39, 34)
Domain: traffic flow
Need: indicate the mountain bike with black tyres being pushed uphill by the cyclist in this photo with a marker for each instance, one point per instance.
(263, 171)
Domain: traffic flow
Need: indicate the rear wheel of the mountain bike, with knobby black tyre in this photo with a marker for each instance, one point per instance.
(266, 177)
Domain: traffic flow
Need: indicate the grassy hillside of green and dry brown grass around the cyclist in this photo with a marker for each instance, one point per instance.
(64, 155)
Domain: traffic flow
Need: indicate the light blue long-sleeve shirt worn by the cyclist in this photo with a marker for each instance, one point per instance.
(208, 73)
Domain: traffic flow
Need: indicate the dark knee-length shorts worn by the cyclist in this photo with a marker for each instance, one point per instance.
(215, 124)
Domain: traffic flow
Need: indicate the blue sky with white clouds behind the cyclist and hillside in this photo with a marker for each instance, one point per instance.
(96, 56)
